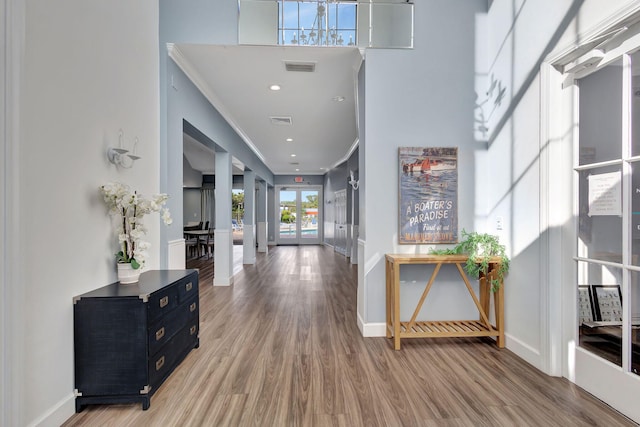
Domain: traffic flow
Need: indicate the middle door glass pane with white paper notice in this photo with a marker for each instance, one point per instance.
(600, 210)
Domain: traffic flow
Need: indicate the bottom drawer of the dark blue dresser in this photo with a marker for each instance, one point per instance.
(165, 360)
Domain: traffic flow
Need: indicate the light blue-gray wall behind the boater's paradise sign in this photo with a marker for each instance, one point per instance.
(419, 97)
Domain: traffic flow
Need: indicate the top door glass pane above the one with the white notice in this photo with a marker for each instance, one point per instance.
(601, 115)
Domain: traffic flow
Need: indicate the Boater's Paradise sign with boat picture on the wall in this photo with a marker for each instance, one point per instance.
(428, 181)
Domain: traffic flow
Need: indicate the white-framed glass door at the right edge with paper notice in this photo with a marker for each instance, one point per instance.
(607, 231)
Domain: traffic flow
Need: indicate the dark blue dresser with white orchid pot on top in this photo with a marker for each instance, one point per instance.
(129, 338)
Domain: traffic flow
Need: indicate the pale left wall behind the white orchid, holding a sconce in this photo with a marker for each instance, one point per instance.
(67, 109)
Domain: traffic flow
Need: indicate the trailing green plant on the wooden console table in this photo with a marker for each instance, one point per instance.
(480, 247)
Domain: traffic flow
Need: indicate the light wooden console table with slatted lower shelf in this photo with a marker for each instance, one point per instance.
(413, 328)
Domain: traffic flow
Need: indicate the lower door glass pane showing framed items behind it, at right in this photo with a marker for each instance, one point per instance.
(600, 310)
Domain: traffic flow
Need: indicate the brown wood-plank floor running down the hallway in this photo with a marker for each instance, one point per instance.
(281, 347)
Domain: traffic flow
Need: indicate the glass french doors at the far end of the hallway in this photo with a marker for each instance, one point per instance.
(298, 215)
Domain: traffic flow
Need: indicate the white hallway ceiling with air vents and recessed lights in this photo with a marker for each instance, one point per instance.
(236, 81)
